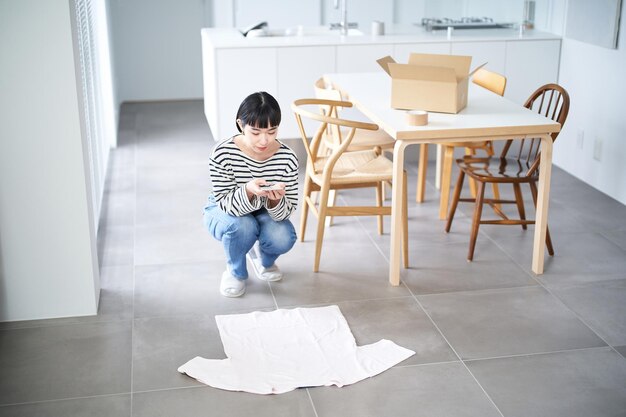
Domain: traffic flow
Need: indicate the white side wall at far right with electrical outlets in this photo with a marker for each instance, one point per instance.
(594, 78)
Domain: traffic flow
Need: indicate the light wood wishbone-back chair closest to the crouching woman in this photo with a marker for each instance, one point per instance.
(340, 169)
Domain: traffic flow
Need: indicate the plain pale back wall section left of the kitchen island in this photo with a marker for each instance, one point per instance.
(156, 46)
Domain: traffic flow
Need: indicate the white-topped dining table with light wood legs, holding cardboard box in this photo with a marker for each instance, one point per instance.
(487, 116)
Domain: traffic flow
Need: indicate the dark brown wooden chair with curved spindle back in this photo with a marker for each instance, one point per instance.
(514, 166)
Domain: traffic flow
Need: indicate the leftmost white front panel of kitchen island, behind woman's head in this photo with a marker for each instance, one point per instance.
(239, 73)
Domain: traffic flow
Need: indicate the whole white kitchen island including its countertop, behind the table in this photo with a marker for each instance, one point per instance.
(287, 66)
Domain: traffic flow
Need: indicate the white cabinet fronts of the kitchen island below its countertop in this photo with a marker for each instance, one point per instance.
(288, 70)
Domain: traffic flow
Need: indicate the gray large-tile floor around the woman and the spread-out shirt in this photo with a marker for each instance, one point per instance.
(492, 339)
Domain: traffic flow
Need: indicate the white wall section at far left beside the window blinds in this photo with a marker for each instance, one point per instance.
(48, 261)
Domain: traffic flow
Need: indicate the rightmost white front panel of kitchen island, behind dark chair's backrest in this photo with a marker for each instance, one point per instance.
(529, 65)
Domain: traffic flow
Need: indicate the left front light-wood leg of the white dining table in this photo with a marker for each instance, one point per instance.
(395, 251)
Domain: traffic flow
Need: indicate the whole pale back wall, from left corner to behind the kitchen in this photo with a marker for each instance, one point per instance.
(157, 49)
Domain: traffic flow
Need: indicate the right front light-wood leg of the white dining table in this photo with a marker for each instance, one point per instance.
(543, 199)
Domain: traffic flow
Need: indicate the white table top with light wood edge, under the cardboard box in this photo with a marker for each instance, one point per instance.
(486, 115)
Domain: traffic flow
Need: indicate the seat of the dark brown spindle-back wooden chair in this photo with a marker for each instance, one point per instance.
(495, 169)
